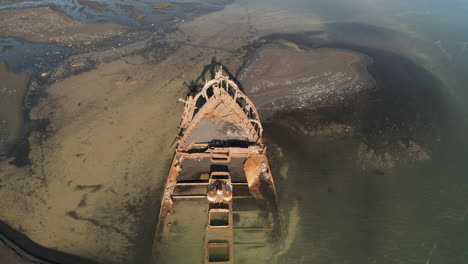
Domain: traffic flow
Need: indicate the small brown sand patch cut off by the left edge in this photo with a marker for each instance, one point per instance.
(12, 89)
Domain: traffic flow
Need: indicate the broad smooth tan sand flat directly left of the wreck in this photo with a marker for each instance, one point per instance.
(108, 151)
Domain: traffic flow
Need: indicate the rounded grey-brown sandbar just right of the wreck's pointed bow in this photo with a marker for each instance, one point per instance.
(284, 78)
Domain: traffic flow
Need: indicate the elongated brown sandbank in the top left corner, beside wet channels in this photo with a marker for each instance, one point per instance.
(43, 24)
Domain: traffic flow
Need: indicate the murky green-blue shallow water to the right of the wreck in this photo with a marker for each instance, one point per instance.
(413, 212)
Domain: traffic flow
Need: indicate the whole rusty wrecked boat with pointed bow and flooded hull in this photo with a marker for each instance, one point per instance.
(219, 203)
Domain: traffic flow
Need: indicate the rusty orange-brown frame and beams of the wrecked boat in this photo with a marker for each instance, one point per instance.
(221, 88)
